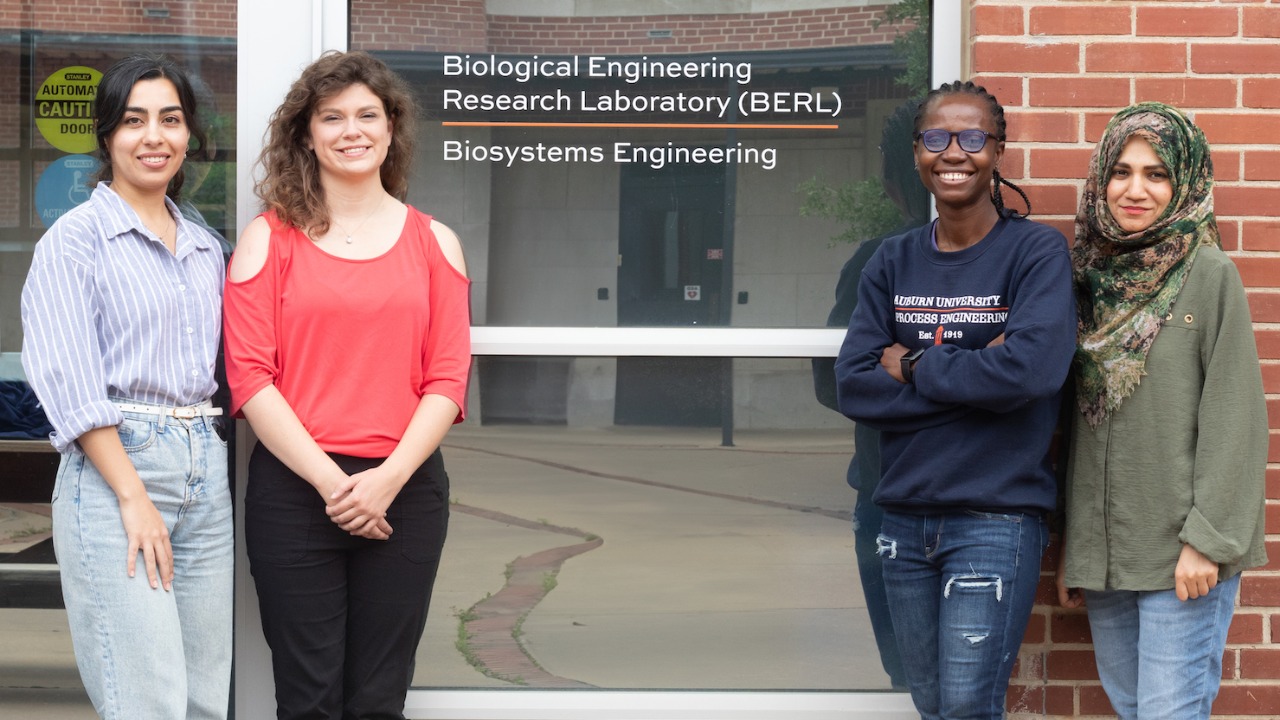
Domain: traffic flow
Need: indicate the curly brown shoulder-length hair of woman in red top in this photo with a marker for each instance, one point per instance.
(291, 179)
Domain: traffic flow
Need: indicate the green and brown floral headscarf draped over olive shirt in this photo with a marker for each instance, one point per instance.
(1127, 282)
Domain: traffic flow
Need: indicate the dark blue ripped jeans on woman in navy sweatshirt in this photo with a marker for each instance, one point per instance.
(961, 590)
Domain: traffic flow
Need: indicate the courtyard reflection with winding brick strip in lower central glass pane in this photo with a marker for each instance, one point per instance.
(587, 553)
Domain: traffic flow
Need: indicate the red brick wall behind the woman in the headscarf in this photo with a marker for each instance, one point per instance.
(1062, 69)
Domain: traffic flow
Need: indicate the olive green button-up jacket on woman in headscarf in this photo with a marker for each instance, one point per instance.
(1183, 459)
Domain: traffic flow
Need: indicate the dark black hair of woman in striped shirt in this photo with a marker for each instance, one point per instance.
(113, 99)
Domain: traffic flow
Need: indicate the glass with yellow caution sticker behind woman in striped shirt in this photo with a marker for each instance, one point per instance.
(48, 75)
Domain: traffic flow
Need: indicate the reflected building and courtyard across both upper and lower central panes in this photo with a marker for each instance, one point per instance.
(689, 517)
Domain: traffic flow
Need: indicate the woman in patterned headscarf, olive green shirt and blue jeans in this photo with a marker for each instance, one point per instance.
(1167, 482)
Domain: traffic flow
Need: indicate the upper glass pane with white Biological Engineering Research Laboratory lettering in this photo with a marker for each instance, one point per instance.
(650, 168)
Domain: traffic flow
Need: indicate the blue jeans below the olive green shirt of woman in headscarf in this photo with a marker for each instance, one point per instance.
(1159, 657)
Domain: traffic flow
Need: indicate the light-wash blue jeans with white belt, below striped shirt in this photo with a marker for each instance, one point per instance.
(148, 653)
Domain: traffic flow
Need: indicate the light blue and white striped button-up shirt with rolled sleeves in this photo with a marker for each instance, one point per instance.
(109, 313)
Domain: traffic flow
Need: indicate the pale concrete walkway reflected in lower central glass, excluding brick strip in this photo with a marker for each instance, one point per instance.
(719, 568)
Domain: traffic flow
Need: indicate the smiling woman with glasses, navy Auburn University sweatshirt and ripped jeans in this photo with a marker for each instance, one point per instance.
(958, 352)
